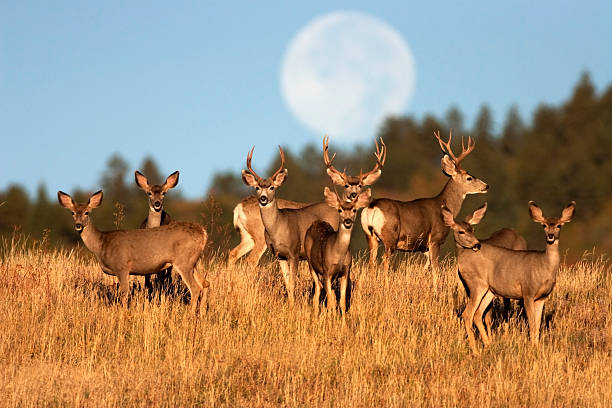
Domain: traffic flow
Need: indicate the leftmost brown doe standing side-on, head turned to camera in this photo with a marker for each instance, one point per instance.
(122, 253)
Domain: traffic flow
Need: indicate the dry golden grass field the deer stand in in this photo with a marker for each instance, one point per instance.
(63, 342)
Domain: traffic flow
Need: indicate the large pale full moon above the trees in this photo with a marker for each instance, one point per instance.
(344, 72)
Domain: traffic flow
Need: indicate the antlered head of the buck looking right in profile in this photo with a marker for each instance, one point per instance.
(451, 165)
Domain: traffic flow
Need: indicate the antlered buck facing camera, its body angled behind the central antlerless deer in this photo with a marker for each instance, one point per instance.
(285, 228)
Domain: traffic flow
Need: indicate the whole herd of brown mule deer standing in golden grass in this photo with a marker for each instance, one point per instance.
(320, 233)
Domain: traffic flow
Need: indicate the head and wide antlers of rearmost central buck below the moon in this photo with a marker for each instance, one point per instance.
(354, 184)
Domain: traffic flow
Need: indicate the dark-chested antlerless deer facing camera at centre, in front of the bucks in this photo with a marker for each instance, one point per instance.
(327, 250)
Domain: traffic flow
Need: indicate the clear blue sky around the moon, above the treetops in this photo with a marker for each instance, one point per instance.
(195, 84)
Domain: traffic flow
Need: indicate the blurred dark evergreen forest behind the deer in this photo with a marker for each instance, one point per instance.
(563, 153)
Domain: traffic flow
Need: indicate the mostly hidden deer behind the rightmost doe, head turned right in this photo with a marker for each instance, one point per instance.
(505, 238)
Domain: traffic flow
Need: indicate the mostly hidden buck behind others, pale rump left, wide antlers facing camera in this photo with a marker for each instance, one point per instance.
(247, 218)
